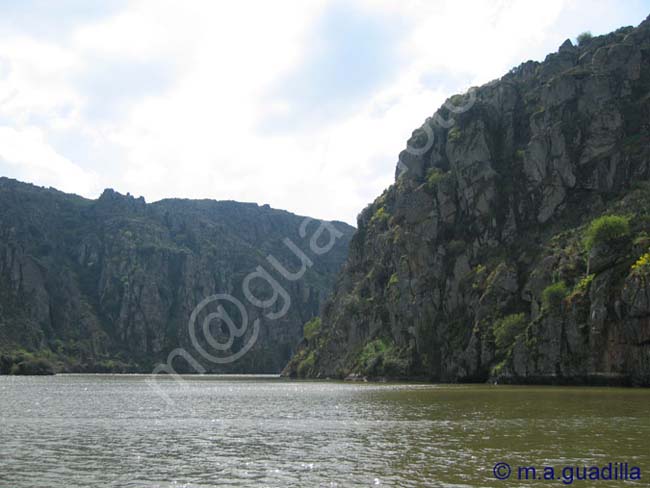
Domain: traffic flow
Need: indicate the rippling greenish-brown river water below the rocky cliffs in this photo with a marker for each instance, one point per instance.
(103, 430)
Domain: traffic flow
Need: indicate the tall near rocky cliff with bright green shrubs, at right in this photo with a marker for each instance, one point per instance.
(513, 244)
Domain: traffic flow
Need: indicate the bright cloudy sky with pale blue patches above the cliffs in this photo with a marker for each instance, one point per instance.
(303, 105)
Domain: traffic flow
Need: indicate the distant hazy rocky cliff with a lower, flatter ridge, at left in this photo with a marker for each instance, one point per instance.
(110, 284)
